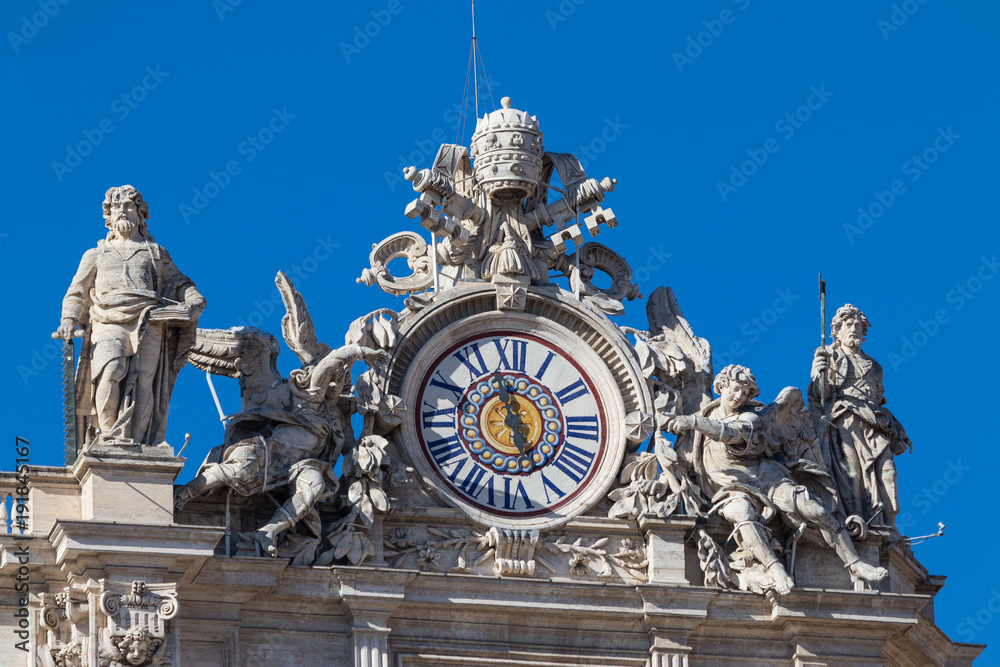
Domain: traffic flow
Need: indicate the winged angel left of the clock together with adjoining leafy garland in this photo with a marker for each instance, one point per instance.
(292, 431)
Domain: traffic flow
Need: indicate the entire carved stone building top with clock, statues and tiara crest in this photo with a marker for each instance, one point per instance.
(531, 483)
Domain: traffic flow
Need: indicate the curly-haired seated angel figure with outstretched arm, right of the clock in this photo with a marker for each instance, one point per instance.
(755, 466)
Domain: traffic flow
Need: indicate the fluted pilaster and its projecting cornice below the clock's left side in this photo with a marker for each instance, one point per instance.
(371, 596)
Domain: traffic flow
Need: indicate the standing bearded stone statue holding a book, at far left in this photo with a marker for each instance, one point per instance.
(138, 314)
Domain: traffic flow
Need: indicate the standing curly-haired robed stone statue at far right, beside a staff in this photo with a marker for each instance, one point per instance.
(846, 395)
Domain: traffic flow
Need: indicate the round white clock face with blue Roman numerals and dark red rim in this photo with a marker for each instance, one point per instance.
(511, 424)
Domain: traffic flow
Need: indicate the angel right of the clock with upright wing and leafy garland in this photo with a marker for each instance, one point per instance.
(758, 467)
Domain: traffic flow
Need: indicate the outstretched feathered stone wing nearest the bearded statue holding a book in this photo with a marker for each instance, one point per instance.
(246, 353)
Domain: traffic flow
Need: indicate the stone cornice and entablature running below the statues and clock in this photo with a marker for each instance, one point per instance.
(653, 608)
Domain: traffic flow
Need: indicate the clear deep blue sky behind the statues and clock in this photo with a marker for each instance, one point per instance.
(754, 147)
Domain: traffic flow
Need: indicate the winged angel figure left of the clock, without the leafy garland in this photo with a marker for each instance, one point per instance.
(291, 431)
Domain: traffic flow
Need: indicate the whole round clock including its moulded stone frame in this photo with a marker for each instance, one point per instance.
(516, 418)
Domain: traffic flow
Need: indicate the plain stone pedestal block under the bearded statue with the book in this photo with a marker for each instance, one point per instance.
(128, 484)
